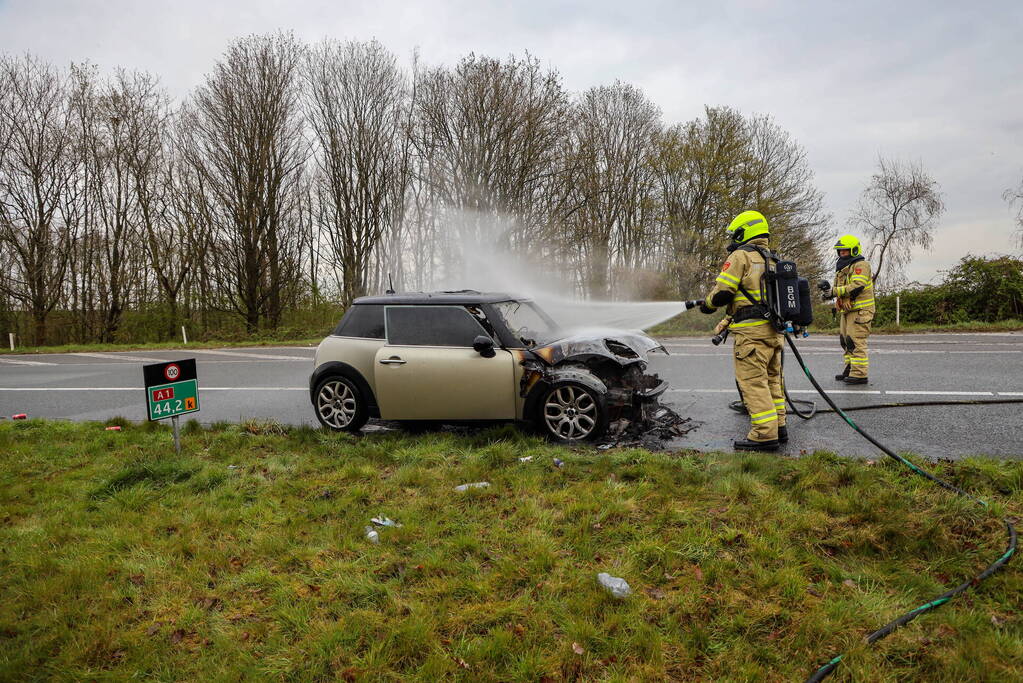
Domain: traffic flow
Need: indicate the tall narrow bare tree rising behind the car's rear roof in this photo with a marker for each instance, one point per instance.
(359, 106)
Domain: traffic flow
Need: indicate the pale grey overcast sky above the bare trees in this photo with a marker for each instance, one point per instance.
(937, 82)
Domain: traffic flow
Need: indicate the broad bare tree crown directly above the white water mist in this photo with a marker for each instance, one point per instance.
(491, 136)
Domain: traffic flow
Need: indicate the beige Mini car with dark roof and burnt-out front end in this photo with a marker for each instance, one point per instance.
(457, 357)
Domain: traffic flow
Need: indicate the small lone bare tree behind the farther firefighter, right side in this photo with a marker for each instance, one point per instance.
(898, 212)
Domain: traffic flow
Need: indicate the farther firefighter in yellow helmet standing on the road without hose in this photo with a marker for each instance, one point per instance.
(854, 292)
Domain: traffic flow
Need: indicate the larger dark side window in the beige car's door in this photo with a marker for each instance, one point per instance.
(431, 327)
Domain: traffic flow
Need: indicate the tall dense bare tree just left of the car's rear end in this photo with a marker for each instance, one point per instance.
(243, 139)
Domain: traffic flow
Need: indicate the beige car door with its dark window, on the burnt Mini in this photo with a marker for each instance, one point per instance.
(429, 371)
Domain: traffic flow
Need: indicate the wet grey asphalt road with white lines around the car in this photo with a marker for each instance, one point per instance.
(273, 383)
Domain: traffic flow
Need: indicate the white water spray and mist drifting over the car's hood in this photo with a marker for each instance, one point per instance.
(483, 263)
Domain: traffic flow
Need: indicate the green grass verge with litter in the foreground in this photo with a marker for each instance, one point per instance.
(245, 559)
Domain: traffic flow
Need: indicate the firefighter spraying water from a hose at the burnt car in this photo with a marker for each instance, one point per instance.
(758, 351)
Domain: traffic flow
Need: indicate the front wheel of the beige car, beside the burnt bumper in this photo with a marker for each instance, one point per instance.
(571, 413)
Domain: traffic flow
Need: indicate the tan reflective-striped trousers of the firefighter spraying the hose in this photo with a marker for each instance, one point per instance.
(759, 376)
